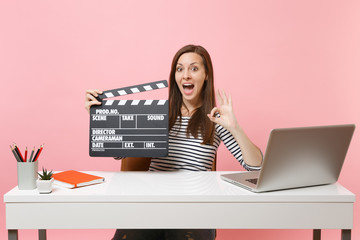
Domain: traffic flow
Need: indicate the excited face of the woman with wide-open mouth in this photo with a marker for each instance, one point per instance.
(190, 76)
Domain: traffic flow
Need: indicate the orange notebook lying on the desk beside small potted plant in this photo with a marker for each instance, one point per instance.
(74, 179)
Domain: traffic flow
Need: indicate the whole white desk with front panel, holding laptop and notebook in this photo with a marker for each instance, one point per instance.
(178, 200)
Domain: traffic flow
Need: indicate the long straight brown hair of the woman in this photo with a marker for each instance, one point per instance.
(199, 122)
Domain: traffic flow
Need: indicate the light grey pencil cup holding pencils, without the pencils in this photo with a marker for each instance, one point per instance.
(27, 175)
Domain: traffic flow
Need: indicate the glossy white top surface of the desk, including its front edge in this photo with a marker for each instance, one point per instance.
(182, 186)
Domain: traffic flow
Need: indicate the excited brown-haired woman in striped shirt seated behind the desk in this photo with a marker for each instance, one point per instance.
(197, 127)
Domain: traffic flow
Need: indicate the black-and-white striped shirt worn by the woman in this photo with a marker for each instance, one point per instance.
(187, 153)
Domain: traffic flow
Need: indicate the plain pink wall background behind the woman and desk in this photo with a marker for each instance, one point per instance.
(286, 63)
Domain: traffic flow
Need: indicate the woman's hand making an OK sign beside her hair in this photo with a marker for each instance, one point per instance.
(224, 114)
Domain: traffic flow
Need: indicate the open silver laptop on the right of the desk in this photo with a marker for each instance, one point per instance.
(298, 157)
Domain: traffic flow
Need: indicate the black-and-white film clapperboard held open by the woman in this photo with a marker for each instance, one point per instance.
(129, 128)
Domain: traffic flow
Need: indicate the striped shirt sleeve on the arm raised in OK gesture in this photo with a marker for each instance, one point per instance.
(233, 147)
